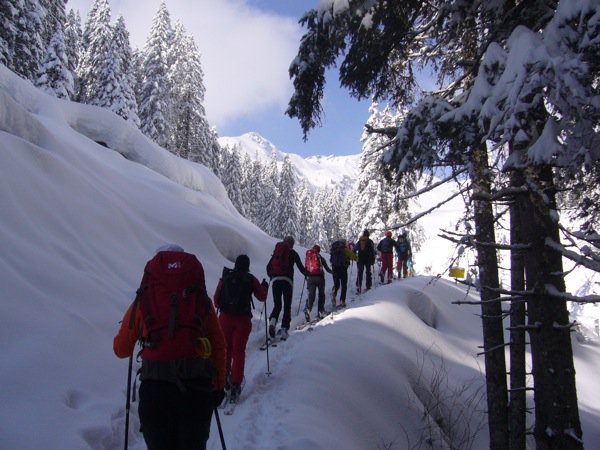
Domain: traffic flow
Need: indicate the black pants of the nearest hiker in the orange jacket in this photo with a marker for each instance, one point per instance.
(174, 420)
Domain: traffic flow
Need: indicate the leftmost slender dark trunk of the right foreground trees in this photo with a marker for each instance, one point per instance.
(491, 311)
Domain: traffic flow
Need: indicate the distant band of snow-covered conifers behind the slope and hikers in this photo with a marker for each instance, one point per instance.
(160, 89)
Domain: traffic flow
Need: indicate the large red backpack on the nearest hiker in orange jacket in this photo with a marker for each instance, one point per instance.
(173, 302)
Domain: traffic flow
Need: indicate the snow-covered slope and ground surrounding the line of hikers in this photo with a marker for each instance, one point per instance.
(78, 222)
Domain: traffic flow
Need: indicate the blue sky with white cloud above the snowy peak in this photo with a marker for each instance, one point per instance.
(246, 48)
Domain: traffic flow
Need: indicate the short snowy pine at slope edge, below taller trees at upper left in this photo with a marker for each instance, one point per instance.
(54, 76)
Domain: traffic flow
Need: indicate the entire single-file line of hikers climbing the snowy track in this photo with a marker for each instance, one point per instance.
(193, 358)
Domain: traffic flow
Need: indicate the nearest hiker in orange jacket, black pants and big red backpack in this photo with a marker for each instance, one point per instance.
(183, 351)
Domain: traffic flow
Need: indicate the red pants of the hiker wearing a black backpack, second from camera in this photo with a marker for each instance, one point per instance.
(236, 330)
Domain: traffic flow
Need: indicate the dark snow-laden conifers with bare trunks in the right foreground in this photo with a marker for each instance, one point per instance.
(513, 122)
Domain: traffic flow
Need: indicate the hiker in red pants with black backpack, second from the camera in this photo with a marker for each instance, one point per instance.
(233, 299)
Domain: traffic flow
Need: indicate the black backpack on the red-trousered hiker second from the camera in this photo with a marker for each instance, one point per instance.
(236, 292)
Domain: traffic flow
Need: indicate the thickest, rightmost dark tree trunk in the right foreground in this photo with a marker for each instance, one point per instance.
(557, 424)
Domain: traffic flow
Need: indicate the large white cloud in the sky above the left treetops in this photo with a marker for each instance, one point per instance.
(245, 52)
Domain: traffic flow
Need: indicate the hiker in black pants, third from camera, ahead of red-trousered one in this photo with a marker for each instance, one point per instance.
(281, 271)
